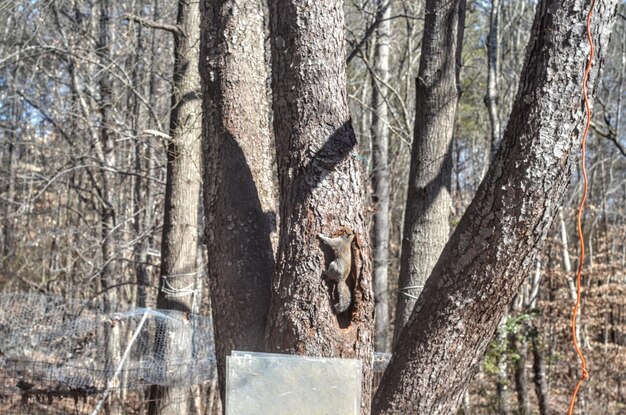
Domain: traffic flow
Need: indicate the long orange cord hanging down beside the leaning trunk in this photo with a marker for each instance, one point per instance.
(585, 373)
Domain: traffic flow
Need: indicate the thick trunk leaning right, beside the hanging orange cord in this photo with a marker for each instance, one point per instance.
(495, 243)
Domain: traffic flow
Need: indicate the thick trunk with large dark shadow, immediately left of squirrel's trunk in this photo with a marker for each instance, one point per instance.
(240, 202)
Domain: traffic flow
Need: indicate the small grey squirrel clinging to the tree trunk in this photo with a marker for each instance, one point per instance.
(339, 268)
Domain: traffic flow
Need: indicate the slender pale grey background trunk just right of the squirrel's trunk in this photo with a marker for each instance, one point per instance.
(380, 180)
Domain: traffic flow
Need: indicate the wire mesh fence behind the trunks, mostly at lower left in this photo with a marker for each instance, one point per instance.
(60, 356)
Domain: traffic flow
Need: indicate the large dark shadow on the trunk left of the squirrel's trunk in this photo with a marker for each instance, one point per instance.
(240, 256)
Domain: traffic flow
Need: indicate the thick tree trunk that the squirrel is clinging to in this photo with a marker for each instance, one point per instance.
(322, 188)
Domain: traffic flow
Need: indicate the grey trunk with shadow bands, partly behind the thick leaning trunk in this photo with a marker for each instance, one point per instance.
(426, 221)
